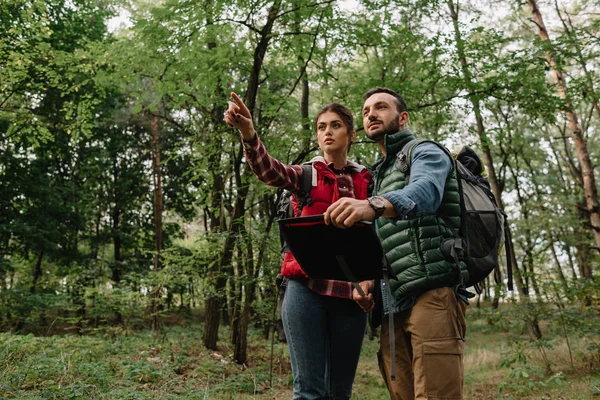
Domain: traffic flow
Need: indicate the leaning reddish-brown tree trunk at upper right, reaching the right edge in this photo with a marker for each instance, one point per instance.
(587, 169)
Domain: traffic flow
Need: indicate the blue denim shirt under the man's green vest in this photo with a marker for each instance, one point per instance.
(429, 170)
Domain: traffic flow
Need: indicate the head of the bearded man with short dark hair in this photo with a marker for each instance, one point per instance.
(381, 116)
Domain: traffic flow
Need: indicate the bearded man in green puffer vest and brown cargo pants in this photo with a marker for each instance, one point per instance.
(428, 314)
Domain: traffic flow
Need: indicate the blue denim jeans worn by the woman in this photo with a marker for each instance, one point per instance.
(324, 335)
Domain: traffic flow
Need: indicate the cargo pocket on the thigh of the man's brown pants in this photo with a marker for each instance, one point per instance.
(443, 368)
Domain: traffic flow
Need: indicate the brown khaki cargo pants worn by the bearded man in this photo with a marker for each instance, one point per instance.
(429, 348)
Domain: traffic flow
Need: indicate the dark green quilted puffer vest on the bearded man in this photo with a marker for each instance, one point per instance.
(412, 246)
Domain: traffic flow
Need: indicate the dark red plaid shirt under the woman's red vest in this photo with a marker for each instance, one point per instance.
(275, 173)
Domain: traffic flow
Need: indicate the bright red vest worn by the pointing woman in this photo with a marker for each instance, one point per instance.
(323, 195)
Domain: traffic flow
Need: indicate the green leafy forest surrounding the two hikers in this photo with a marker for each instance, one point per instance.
(133, 231)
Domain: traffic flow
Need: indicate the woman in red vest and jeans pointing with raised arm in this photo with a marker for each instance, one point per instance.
(324, 327)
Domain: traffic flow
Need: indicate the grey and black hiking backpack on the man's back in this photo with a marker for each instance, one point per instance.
(484, 227)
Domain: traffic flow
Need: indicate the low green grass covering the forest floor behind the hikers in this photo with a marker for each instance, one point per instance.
(172, 364)
